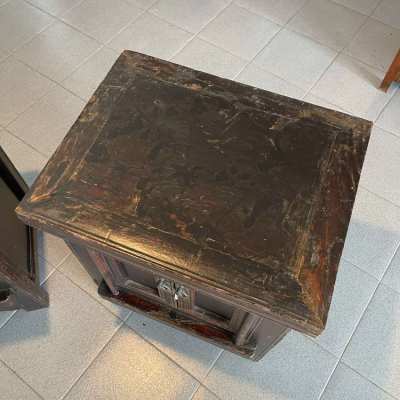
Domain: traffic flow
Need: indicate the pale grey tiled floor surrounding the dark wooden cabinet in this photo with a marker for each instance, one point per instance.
(53, 54)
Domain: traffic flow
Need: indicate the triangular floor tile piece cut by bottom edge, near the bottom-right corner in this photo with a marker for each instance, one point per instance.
(347, 384)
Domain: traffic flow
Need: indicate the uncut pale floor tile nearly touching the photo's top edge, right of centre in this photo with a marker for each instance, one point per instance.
(240, 32)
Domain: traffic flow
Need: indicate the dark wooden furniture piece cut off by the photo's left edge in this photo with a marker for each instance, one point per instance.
(19, 287)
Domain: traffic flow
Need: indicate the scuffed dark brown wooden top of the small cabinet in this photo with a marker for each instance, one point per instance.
(231, 188)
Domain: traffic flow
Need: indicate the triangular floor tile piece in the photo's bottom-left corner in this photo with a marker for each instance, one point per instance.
(14, 388)
